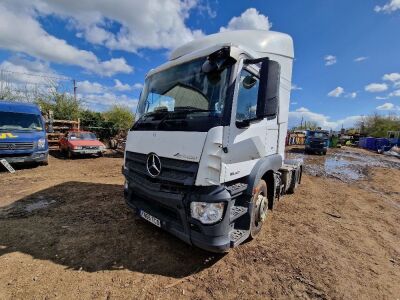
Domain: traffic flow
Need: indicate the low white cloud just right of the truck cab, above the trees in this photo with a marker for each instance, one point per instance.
(322, 120)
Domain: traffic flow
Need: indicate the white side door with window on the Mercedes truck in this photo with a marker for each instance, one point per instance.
(247, 136)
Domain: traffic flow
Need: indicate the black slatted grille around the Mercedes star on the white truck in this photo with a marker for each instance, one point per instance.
(175, 174)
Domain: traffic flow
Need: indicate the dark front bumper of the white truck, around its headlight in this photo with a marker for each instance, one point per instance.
(172, 209)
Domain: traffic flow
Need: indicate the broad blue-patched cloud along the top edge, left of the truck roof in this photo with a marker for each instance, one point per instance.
(141, 24)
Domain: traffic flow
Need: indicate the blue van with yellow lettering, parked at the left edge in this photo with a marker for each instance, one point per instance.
(22, 133)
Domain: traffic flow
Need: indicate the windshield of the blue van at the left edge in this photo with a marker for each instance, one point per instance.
(20, 121)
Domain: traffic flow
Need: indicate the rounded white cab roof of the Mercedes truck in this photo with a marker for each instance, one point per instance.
(253, 41)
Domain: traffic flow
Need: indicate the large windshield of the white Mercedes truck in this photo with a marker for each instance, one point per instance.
(183, 98)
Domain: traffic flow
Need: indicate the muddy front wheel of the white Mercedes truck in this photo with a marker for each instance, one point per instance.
(259, 209)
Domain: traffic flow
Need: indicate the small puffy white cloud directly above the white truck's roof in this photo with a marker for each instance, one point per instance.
(249, 19)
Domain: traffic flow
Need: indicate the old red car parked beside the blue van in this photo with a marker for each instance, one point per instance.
(81, 142)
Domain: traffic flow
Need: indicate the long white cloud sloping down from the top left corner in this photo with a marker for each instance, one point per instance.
(21, 32)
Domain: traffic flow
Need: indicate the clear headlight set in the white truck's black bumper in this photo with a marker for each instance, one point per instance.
(207, 213)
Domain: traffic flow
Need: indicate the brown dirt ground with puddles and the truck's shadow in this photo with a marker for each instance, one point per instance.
(65, 232)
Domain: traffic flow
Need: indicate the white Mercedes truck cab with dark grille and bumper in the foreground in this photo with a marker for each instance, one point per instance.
(205, 159)
